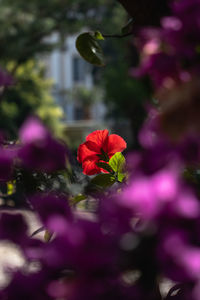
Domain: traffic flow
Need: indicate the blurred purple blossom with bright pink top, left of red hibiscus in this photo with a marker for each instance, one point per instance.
(40, 151)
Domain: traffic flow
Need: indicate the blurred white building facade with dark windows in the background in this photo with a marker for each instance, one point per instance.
(68, 70)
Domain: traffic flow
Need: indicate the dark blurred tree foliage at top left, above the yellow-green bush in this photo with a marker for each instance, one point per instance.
(24, 25)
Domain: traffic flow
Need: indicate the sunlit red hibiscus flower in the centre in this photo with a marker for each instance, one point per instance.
(99, 147)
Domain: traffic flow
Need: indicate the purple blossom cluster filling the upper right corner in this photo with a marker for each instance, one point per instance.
(170, 54)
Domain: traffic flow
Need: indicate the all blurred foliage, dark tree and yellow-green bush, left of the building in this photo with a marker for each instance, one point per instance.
(24, 30)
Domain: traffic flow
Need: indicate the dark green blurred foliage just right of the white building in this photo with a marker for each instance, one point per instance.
(126, 99)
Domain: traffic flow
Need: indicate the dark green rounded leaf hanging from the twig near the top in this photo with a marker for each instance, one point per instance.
(89, 49)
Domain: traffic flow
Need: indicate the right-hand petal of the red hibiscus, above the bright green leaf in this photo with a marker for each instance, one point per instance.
(115, 143)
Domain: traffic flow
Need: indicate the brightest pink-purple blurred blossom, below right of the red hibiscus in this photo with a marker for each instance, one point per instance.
(147, 196)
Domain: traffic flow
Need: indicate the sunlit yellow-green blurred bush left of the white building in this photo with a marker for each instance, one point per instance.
(30, 95)
